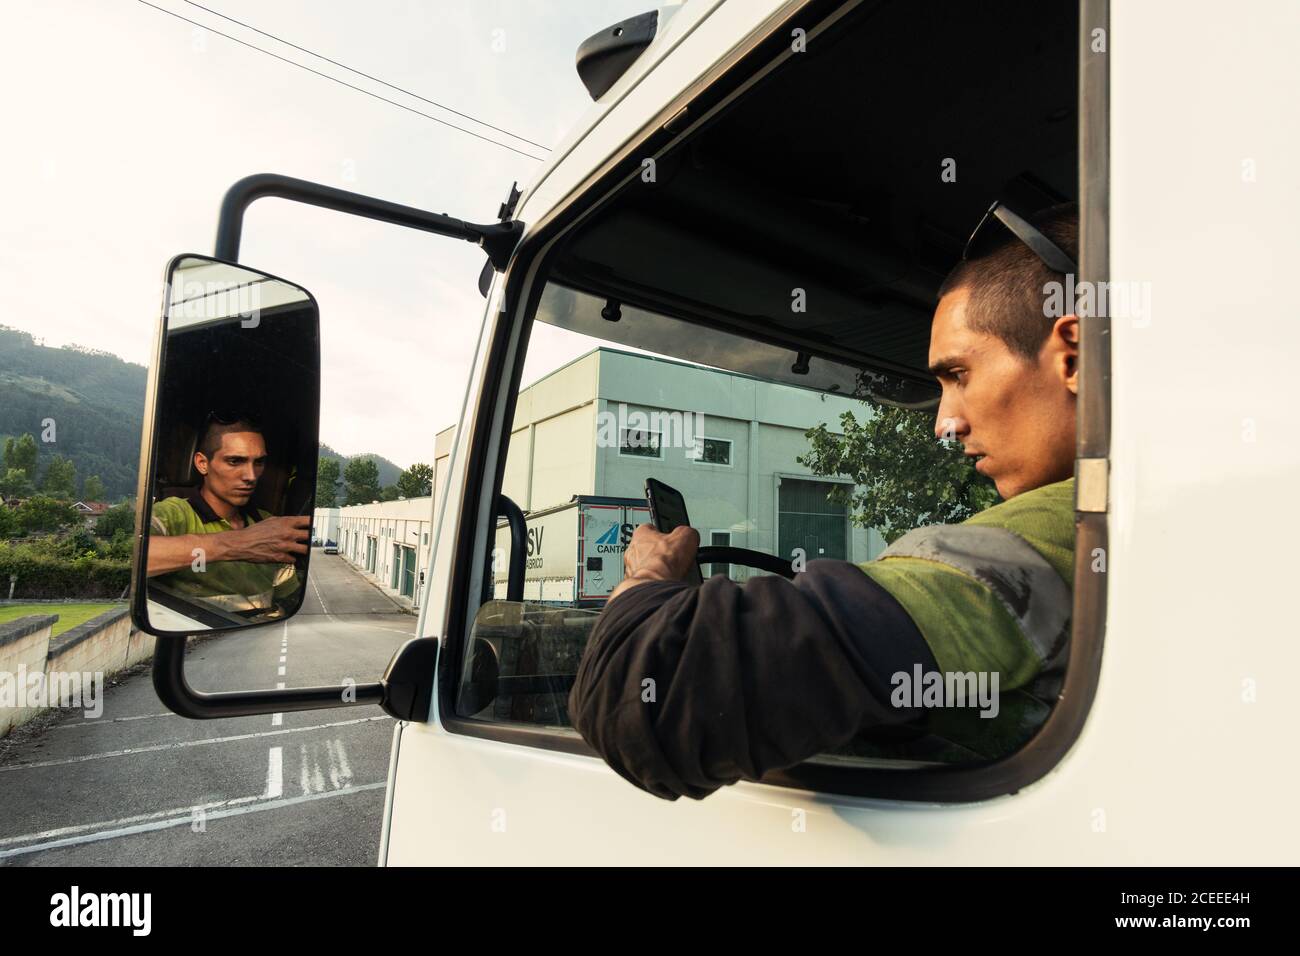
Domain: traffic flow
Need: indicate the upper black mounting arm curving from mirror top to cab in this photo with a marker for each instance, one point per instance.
(499, 240)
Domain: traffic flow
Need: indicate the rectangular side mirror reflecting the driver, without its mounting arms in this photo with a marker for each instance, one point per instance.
(228, 461)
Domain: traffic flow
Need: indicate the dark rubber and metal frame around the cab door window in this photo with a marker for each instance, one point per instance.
(510, 331)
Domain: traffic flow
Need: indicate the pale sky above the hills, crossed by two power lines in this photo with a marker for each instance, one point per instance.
(127, 126)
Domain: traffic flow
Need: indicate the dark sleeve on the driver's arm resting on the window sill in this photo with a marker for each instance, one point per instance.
(684, 690)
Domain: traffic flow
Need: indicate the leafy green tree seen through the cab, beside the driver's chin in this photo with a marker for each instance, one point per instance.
(904, 478)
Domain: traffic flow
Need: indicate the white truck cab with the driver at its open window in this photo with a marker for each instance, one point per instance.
(777, 188)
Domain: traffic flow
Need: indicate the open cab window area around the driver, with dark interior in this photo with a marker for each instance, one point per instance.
(772, 269)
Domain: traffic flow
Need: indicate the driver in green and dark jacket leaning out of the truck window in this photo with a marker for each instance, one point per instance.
(684, 690)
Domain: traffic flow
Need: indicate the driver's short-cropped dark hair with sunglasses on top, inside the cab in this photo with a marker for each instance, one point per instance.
(1006, 285)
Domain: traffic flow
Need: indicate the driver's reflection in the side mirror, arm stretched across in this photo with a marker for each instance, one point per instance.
(213, 544)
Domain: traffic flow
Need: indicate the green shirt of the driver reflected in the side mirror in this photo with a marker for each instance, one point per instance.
(236, 586)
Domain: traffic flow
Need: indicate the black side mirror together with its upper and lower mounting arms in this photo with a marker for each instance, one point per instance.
(241, 338)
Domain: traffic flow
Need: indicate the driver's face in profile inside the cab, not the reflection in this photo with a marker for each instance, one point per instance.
(1015, 416)
